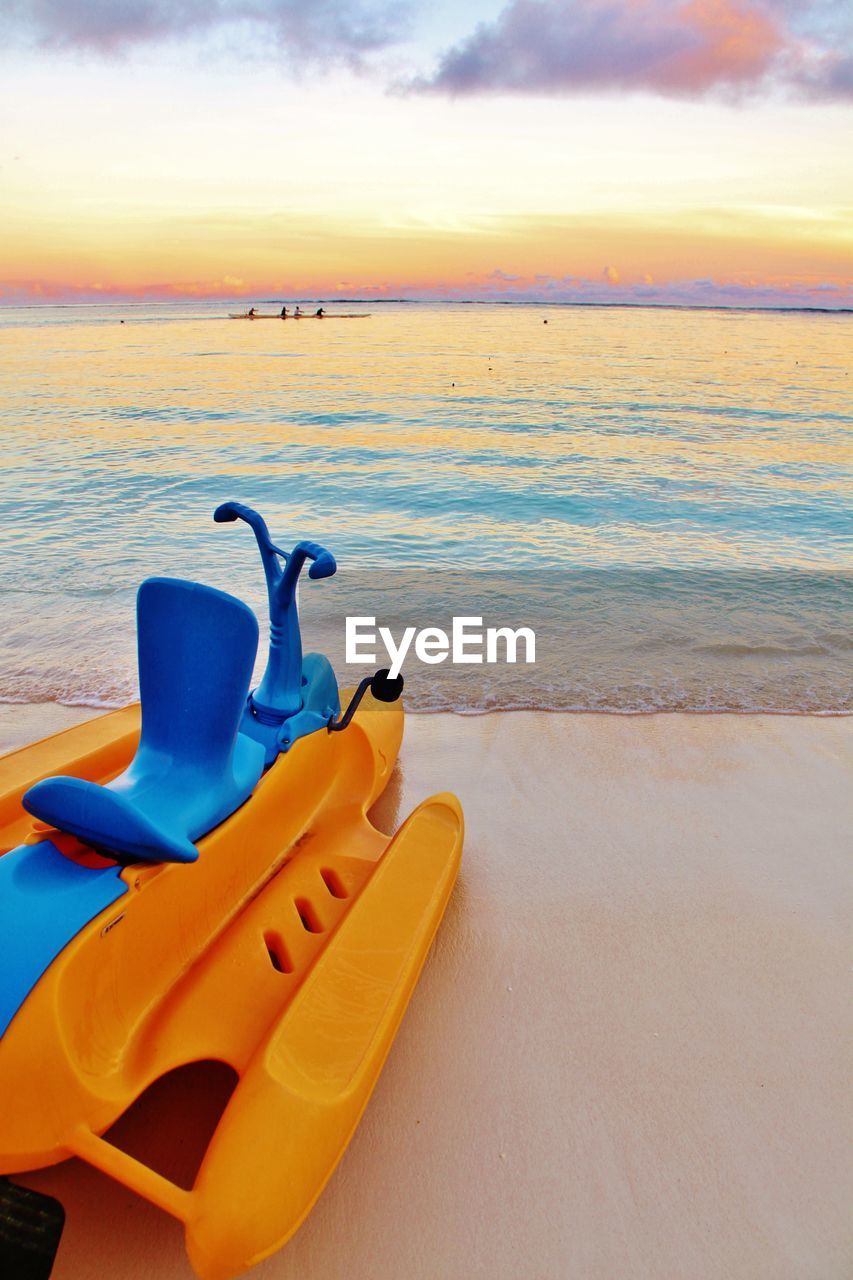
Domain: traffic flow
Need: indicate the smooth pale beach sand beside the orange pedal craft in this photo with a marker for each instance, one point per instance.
(626, 1058)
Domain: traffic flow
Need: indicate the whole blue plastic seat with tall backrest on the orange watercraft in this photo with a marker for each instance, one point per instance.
(197, 652)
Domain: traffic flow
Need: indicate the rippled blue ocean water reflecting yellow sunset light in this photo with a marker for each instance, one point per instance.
(664, 496)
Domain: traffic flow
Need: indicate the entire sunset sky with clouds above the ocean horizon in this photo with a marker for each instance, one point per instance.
(600, 150)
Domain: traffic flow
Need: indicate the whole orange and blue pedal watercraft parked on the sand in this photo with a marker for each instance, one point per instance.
(197, 880)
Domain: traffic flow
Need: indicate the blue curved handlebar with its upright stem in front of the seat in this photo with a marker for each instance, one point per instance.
(280, 693)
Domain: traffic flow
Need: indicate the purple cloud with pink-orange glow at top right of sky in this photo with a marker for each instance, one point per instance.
(676, 48)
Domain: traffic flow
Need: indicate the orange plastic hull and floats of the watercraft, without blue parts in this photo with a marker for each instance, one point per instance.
(289, 952)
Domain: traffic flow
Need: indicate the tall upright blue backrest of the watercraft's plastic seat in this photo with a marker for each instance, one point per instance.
(197, 650)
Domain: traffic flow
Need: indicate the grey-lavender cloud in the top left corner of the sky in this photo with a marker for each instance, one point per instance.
(314, 30)
